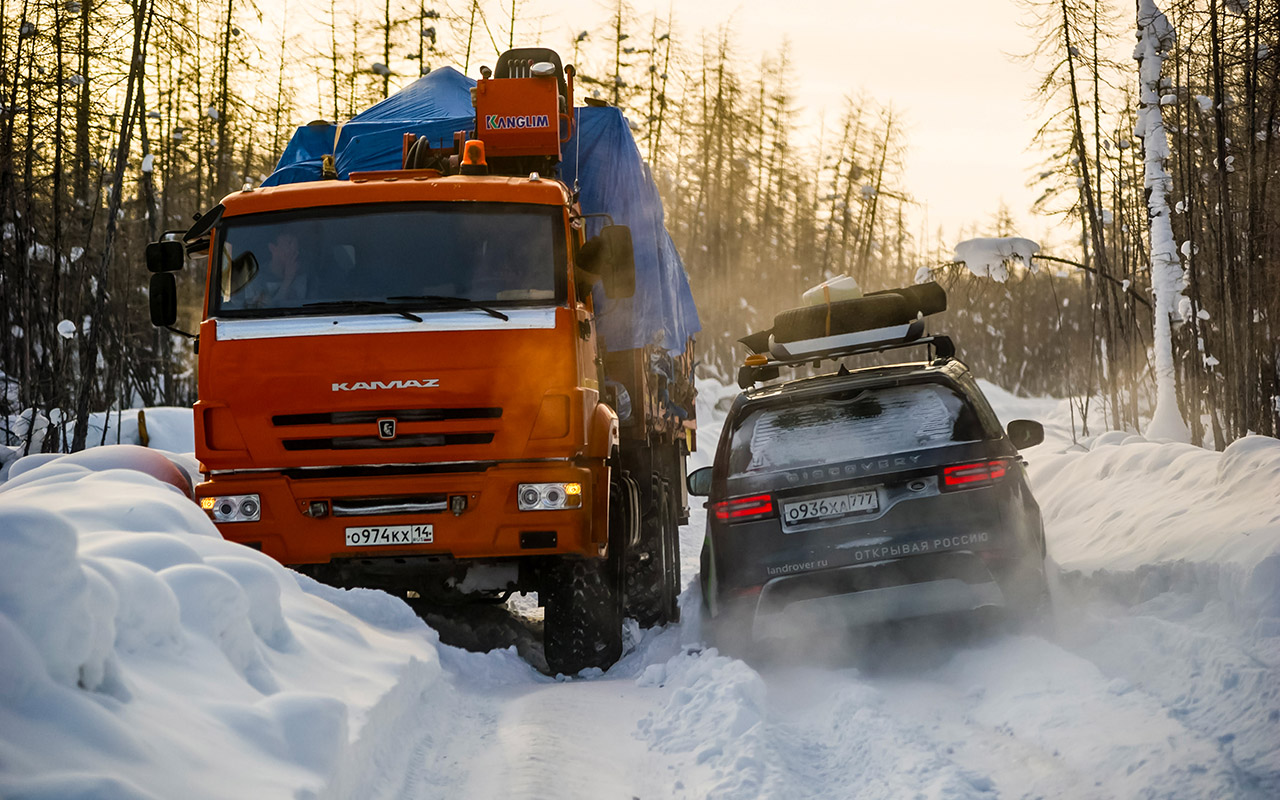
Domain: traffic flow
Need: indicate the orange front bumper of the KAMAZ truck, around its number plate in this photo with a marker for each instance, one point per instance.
(305, 520)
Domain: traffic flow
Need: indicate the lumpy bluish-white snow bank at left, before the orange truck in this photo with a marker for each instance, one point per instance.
(147, 657)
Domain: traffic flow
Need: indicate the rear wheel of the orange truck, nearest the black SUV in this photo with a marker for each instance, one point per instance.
(652, 573)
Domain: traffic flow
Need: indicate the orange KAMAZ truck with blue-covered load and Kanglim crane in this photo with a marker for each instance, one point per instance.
(447, 351)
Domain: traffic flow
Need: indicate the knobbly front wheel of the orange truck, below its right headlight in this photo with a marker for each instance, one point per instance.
(583, 616)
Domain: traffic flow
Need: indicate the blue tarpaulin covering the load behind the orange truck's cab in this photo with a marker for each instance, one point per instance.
(602, 156)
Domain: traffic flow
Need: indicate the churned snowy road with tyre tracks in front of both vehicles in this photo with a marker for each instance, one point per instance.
(1103, 707)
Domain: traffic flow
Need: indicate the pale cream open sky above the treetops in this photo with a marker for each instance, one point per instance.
(948, 67)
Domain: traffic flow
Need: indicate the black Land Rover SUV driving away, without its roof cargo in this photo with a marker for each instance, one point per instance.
(866, 497)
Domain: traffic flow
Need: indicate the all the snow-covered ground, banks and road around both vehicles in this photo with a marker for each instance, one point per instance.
(147, 657)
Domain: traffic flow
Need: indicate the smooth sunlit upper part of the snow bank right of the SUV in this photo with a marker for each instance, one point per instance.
(1169, 516)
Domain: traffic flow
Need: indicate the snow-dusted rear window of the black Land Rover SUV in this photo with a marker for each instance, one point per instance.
(851, 426)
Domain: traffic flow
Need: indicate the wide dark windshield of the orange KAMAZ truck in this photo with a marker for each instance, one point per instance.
(422, 257)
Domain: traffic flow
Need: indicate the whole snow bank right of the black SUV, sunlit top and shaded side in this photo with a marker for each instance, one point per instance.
(1171, 580)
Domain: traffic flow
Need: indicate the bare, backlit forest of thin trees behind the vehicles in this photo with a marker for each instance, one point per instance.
(120, 120)
